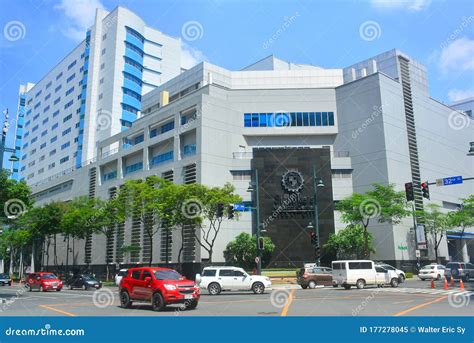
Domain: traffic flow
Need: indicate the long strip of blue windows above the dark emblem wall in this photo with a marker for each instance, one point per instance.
(296, 119)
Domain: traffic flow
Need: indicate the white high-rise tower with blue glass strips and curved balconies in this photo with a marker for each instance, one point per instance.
(93, 93)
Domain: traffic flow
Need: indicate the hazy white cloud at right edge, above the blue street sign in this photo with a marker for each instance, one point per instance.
(457, 56)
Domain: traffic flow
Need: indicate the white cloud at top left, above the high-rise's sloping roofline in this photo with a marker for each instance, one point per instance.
(80, 15)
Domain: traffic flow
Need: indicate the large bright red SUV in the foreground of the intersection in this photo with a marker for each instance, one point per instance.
(158, 286)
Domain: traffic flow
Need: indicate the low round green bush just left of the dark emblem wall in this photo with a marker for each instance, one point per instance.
(243, 250)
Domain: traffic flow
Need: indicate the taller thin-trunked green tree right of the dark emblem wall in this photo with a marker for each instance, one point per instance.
(382, 204)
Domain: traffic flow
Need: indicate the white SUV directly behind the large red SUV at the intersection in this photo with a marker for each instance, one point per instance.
(218, 279)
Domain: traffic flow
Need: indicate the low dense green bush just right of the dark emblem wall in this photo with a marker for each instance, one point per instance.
(349, 243)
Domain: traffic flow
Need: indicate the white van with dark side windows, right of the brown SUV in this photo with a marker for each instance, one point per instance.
(360, 273)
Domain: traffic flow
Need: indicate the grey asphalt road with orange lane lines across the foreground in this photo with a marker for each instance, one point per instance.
(413, 298)
